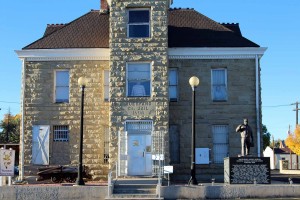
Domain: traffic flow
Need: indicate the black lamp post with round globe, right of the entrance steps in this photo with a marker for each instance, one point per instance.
(194, 82)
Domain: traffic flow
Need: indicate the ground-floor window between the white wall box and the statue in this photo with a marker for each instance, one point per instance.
(224, 143)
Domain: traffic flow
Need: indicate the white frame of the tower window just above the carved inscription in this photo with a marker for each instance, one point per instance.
(128, 93)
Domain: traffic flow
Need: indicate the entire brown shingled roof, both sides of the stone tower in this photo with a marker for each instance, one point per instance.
(186, 28)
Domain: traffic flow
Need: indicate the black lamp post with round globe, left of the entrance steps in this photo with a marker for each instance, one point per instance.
(82, 83)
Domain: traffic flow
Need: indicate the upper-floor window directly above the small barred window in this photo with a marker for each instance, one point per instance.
(62, 87)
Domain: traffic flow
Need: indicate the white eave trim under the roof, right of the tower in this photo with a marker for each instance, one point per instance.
(216, 53)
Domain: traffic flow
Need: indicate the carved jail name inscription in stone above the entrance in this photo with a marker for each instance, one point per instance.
(140, 108)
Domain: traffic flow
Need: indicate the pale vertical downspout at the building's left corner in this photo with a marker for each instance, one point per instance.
(21, 176)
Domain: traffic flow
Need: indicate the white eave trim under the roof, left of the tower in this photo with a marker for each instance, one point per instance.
(64, 54)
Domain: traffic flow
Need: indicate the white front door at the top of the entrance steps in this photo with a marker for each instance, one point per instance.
(136, 154)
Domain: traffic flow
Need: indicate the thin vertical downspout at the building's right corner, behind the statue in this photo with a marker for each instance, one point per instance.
(258, 121)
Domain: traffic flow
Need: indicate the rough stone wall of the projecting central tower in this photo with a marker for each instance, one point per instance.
(123, 50)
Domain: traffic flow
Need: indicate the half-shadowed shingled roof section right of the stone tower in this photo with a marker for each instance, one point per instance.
(189, 28)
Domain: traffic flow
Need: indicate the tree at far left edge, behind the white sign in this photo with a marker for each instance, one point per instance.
(10, 129)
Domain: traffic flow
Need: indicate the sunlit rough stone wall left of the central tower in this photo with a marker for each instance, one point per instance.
(40, 109)
